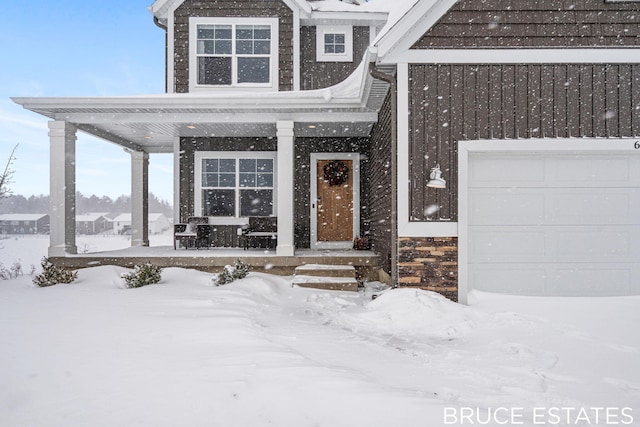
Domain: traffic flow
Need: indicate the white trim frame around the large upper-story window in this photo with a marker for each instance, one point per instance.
(193, 61)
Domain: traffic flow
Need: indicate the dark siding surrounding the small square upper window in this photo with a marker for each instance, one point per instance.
(319, 75)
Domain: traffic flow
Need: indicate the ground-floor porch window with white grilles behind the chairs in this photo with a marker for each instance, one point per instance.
(235, 185)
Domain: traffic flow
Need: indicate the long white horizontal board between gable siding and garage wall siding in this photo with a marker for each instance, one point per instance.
(620, 55)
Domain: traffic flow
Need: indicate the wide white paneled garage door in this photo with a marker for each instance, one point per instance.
(554, 224)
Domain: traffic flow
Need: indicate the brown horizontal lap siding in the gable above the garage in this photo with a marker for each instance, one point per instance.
(535, 23)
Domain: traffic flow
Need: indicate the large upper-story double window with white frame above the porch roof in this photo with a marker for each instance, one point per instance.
(233, 52)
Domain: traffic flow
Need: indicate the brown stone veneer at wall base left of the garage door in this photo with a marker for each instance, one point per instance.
(429, 263)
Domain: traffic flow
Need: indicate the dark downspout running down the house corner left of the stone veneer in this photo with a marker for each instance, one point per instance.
(377, 74)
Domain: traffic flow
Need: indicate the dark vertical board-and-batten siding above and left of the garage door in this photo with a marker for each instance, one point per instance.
(449, 103)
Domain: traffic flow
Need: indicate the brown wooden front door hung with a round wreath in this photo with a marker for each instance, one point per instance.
(335, 206)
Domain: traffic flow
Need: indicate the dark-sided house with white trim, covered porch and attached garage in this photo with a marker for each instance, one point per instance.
(490, 145)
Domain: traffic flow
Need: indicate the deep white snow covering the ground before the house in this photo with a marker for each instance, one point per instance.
(259, 352)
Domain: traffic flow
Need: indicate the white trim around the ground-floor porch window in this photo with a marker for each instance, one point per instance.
(197, 178)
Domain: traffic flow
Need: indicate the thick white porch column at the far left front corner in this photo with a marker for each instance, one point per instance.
(62, 181)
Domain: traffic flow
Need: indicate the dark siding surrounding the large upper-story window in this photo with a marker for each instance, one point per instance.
(232, 8)
